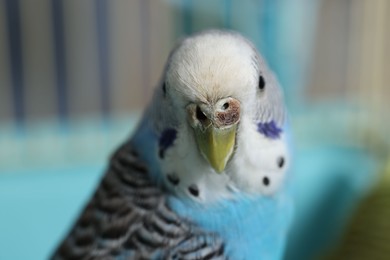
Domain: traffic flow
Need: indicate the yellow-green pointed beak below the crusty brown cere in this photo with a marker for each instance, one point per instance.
(216, 145)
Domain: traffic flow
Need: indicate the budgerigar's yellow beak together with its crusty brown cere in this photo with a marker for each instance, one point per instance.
(215, 129)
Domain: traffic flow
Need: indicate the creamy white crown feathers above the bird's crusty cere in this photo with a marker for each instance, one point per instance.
(203, 69)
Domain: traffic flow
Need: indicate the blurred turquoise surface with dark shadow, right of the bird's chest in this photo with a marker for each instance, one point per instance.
(329, 181)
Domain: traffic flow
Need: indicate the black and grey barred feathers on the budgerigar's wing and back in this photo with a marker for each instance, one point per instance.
(128, 218)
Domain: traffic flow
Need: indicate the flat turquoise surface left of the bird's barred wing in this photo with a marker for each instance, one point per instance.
(38, 206)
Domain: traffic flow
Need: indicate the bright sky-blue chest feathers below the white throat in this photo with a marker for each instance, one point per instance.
(252, 227)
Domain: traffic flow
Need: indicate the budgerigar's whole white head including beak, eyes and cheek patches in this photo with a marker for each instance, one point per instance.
(218, 108)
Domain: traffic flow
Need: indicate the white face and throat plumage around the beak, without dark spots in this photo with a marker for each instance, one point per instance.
(204, 69)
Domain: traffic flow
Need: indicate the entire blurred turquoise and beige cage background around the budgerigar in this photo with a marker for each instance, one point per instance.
(76, 75)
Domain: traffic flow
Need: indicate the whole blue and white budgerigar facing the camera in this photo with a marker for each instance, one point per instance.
(203, 177)
